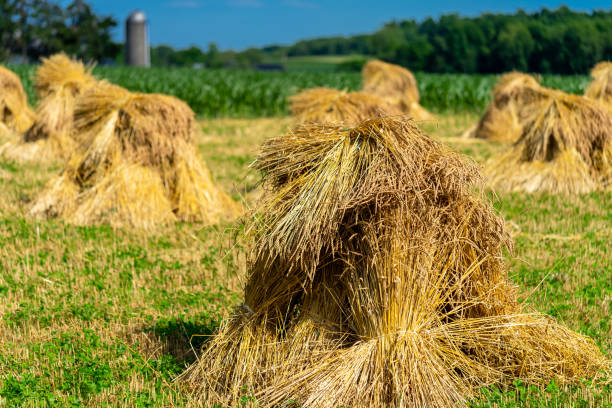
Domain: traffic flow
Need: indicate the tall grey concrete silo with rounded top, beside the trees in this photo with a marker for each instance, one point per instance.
(137, 40)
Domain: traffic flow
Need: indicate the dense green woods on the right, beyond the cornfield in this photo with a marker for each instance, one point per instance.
(548, 41)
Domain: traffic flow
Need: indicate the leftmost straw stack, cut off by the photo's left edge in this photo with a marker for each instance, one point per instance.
(15, 114)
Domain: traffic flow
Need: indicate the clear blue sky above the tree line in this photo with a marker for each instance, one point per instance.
(239, 24)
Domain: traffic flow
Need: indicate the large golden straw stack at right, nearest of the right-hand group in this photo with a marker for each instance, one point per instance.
(565, 146)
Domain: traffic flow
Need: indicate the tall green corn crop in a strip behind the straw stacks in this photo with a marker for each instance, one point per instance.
(243, 93)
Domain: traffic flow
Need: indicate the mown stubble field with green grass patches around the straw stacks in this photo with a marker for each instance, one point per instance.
(94, 317)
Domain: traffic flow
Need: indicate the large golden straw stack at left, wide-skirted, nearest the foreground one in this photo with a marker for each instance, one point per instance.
(135, 164)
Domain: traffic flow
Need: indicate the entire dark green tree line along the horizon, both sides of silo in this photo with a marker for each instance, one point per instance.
(547, 41)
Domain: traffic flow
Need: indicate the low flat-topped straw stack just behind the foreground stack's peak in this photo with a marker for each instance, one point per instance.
(325, 105)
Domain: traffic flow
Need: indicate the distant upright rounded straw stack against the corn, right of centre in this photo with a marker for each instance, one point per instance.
(395, 84)
